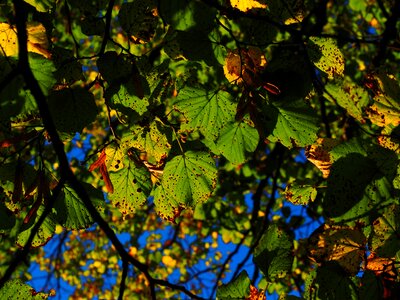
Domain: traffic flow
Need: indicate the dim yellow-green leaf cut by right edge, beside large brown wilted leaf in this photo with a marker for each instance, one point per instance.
(384, 239)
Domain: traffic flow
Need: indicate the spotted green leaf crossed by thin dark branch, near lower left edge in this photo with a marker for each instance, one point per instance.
(43, 235)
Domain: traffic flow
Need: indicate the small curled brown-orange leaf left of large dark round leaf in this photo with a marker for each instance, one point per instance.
(319, 155)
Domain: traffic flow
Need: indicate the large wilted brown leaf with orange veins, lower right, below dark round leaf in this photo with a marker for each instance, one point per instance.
(340, 244)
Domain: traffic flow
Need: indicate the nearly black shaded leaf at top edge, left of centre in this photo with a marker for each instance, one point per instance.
(137, 19)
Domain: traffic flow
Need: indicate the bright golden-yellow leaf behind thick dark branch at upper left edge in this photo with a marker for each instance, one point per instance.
(37, 40)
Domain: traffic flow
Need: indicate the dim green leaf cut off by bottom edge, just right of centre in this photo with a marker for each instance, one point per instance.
(239, 288)
